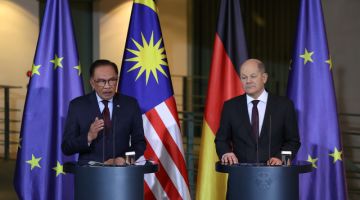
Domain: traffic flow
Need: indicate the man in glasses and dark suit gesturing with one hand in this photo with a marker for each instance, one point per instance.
(103, 125)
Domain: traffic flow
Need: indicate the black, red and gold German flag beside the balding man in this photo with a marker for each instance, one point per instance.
(224, 83)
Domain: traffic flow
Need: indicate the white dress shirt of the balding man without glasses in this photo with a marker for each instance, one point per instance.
(261, 107)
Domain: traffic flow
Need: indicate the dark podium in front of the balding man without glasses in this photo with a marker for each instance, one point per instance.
(254, 182)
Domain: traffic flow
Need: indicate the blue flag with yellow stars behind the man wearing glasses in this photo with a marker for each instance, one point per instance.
(55, 80)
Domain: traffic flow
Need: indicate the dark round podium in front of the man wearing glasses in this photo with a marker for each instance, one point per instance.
(110, 182)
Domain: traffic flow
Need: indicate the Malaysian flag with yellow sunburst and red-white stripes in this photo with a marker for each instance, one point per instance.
(145, 76)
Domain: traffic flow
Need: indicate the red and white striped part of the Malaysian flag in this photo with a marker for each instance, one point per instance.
(162, 132)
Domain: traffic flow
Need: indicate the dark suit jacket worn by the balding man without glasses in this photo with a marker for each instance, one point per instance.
(234, 134)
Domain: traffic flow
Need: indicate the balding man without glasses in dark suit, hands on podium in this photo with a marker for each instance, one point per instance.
(244, 134)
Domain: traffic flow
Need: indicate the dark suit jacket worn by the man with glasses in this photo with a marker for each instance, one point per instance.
(126, 122)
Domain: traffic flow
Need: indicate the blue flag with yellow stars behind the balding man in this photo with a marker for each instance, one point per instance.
(311, 88)
